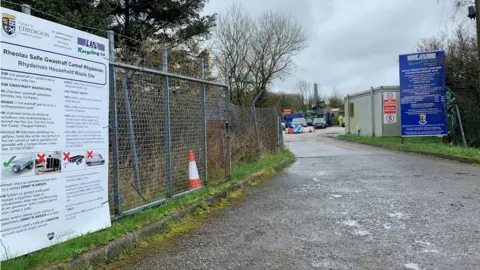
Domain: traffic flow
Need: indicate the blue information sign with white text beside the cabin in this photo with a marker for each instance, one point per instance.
(422, 94)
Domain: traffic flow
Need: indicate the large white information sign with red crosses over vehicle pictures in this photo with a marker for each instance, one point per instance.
(54, 133)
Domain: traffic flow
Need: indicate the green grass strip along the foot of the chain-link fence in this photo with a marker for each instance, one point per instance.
(63, 251)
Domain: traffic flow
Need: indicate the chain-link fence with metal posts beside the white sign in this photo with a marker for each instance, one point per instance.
(159, 116)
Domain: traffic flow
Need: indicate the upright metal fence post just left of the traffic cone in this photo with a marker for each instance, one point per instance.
(168, 135)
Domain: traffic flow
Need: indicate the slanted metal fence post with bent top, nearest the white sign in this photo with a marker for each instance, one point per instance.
(131, 132)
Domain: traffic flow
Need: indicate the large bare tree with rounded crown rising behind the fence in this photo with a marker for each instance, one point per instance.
(257, 50)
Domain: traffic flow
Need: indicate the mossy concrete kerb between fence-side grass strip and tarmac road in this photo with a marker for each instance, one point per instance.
(103, 254)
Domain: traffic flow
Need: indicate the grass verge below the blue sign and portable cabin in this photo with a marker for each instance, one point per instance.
(424, 144)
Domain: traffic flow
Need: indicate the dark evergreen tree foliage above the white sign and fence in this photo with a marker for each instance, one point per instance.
(173, 21)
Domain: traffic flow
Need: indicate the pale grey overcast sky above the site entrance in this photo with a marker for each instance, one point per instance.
(354, 44)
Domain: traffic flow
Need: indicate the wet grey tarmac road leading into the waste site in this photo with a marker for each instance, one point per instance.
(341, 206)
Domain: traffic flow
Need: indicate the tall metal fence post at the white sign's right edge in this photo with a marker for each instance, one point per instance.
(114, 125)
